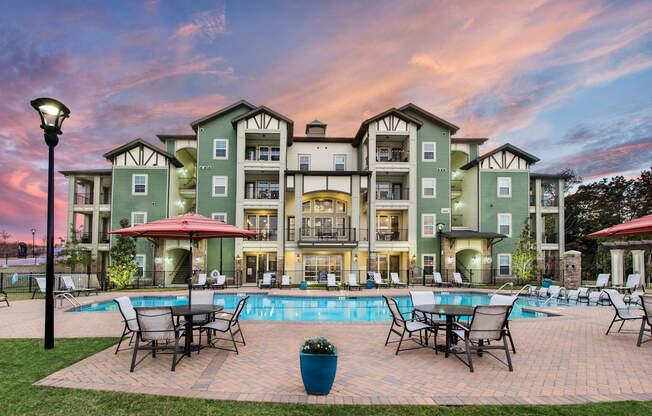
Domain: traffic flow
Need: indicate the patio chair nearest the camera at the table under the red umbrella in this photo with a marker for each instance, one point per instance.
(157, 333)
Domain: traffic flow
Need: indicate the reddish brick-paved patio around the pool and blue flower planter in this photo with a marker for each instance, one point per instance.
(560, 360)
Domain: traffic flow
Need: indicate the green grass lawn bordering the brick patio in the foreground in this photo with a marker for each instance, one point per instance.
(23, 361)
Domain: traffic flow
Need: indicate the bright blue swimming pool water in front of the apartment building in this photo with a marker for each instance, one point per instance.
(346, 309)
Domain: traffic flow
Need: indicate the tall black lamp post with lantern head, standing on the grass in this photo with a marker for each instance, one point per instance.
(52, 113)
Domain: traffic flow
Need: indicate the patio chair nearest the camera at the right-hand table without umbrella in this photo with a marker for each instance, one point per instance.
(487, 324)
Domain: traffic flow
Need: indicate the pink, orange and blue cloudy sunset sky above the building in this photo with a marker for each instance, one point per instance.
(569, 81)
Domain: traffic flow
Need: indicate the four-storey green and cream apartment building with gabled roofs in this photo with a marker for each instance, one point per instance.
(400, 195)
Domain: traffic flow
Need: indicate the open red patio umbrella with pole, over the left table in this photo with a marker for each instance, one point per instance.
(191, 226)
